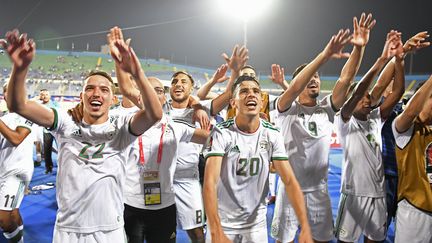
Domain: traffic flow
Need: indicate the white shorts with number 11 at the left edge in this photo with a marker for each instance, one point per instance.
(12, 190)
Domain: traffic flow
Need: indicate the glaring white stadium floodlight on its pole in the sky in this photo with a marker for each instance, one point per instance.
(244, 10)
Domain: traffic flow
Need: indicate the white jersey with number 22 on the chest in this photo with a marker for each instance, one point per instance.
(91, 173)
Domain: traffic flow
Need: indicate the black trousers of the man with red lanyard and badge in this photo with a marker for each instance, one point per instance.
(155, 226)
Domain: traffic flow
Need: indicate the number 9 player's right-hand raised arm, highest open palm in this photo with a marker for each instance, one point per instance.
(360, 38)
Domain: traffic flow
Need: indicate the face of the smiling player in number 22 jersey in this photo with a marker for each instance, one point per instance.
(97, 97)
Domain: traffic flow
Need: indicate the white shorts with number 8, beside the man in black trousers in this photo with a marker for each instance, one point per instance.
(189, 203)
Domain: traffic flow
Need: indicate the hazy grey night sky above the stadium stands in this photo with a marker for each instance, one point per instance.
(291, 33)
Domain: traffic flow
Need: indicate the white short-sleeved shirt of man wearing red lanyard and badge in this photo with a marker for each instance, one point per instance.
(155, 146)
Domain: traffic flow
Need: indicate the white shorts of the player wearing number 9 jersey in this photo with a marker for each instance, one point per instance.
(285, 224)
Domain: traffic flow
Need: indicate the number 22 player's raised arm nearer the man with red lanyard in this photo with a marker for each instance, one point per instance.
(152, 109)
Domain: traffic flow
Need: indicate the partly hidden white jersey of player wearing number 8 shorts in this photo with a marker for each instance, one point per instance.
(188, 153)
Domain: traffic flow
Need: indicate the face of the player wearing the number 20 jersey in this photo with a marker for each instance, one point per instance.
(248, 100)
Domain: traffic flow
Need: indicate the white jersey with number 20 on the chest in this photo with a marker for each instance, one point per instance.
(243, 184)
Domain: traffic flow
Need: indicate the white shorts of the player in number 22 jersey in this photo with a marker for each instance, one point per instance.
(117, 235)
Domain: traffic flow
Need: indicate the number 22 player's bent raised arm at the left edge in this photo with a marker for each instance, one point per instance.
(21, 52)
